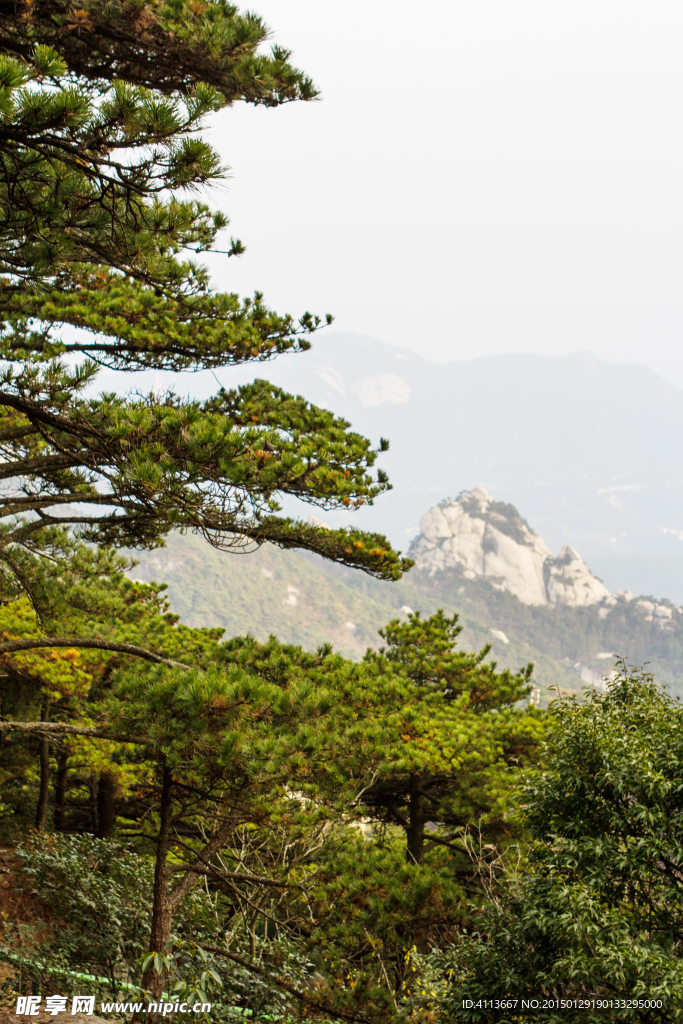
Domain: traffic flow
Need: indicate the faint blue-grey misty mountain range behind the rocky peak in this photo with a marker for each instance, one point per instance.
(590, 451)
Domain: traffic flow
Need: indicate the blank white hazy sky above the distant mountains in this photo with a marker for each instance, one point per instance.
(479, 178)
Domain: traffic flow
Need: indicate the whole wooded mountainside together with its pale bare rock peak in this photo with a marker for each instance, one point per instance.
(309, 602)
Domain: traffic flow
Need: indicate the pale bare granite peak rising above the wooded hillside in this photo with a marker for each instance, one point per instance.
(482, 538)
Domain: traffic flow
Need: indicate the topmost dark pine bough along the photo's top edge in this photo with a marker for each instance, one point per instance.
(168, 47)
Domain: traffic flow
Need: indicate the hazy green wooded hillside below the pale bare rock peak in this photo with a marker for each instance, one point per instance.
(305, 601)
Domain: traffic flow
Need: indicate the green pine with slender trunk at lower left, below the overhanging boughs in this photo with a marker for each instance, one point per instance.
(191, 762)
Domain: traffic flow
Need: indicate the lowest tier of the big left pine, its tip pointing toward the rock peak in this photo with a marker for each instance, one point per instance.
(215, 467)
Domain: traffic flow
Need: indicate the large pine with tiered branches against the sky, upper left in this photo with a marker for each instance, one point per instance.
(100, 149)
